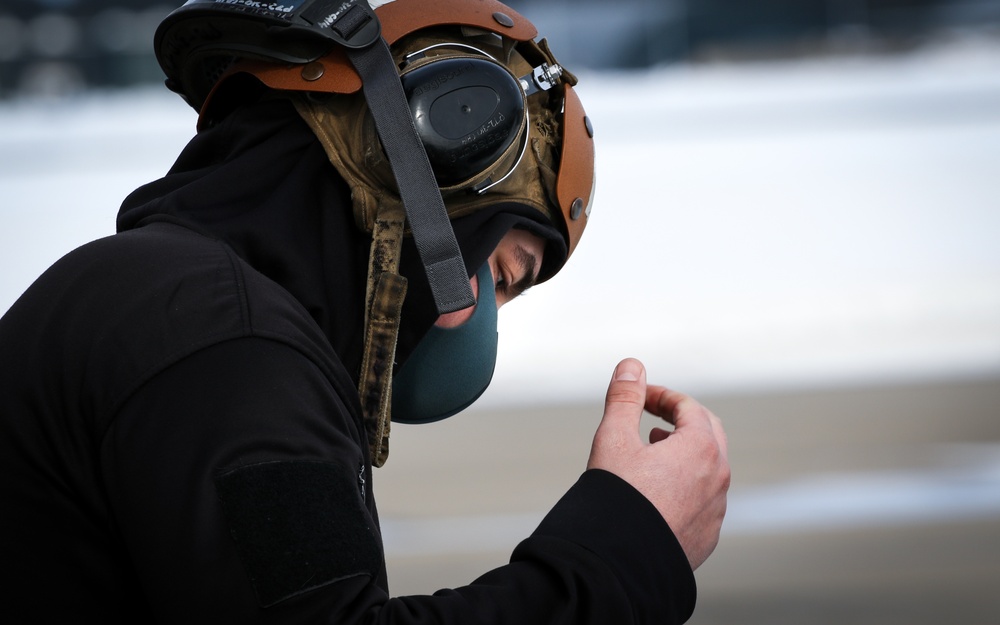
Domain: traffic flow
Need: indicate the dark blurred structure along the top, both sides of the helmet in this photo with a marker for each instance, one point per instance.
(53, 47)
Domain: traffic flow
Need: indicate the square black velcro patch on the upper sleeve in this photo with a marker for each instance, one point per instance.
(298, 525)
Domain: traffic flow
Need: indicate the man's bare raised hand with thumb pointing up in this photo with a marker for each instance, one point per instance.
(684, 473)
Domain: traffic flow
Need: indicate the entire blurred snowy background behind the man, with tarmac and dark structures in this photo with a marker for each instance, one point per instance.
(797, 221)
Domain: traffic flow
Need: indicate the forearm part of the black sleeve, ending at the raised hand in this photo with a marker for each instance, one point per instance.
(602, 555)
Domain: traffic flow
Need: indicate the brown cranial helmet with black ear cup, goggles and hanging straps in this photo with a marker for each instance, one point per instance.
(430, 109)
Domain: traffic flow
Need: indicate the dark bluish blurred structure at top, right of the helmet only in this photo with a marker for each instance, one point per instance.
(642, 33)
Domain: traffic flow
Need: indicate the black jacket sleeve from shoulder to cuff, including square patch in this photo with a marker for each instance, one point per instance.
(237, 484)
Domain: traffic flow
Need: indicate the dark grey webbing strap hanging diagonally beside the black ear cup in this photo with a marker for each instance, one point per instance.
(425, 210)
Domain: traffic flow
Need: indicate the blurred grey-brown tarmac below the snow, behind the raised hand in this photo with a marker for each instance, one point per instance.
(455, 498)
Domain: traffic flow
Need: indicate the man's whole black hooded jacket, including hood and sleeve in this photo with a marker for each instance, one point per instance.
(180, 434)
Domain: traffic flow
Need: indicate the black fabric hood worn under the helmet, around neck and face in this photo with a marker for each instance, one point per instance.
(261, 182)
